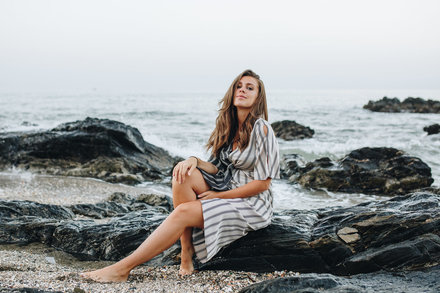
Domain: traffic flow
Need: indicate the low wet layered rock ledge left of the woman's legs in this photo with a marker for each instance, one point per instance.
(128, 225)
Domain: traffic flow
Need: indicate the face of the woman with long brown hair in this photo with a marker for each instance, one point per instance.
(246, 92)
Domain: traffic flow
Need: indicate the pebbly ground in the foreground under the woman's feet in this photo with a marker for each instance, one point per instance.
(44, 268)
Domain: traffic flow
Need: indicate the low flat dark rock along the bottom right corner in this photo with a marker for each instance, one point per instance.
(381, 282)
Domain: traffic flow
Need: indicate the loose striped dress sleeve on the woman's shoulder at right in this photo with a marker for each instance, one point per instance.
(267, 164)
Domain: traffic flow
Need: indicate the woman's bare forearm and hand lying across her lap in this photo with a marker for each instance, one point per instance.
(250, 189)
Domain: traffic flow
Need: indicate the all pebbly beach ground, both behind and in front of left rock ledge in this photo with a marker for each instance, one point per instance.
(44, 268)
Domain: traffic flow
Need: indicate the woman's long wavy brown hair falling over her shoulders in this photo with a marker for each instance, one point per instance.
(227, 121)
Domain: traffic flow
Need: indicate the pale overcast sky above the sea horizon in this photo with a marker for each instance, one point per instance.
(202, 45)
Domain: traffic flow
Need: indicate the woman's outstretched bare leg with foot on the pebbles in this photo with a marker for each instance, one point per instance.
(185, 215)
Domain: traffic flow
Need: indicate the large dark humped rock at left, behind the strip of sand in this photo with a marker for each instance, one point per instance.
(99, 148)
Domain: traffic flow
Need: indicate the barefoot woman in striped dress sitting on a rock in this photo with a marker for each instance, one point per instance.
(224, 198)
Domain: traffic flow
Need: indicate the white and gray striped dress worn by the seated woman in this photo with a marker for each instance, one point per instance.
(226, 220)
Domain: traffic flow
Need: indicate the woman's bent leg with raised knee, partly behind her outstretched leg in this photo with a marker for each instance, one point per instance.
(185, 192)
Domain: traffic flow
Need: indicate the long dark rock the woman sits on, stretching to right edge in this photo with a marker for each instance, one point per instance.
(396, 235)
